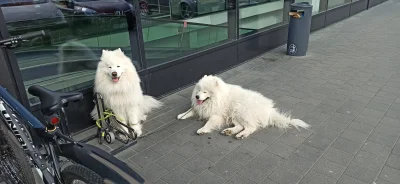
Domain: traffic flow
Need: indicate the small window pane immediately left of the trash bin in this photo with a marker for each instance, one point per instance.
(260, 14)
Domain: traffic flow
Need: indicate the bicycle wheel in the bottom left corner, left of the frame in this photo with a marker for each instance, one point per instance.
(14, 163)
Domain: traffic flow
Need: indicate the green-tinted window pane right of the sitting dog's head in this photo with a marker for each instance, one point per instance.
(174, 28)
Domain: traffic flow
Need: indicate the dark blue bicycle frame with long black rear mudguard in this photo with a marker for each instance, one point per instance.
(99, 161)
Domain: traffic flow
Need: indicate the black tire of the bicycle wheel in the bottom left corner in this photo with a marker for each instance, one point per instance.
(10, 144)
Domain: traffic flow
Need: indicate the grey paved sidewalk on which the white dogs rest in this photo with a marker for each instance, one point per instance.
(347, 88)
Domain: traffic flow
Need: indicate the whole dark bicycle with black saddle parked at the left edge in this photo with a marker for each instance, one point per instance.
(60, 159)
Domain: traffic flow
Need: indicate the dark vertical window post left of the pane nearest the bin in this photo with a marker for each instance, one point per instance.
(233, 19)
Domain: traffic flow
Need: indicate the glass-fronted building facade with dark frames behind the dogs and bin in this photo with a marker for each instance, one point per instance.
(171, 42)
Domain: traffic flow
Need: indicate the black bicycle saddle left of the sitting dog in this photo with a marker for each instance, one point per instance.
(52, 101)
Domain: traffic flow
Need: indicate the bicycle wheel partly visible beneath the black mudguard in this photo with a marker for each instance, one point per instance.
(78, 174)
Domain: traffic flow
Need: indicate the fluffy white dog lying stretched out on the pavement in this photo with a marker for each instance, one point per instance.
(221, 103)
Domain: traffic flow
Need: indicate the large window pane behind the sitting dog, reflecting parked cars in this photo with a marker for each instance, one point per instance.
(78, 30)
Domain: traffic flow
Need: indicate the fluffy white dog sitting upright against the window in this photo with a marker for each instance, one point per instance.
(118, 82)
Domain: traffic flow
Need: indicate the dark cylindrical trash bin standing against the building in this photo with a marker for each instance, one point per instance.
(299, 28)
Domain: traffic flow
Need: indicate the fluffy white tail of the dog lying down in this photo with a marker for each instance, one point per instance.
(283, 120)
